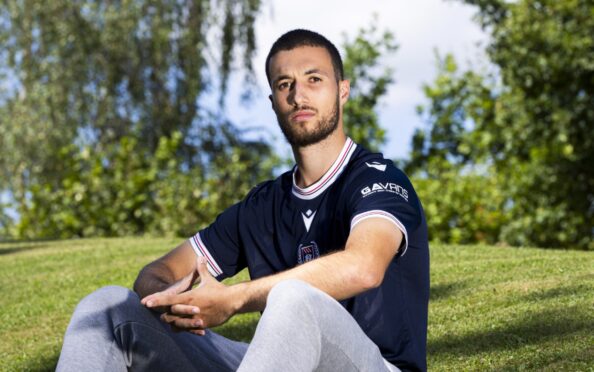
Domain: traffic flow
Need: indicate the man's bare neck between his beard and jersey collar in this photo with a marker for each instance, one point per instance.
(315, 160)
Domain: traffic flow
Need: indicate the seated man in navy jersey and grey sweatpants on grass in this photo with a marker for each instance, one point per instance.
(343, 225)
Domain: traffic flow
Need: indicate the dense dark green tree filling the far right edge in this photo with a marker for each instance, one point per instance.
(544, 119)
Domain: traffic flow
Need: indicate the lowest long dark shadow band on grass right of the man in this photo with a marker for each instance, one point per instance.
(532, 328)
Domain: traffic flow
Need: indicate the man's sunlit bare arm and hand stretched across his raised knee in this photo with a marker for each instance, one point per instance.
(371, 246)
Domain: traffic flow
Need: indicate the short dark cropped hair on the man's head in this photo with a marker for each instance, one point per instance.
(300, 37)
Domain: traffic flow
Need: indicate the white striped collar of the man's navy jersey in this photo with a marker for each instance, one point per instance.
(316, 189)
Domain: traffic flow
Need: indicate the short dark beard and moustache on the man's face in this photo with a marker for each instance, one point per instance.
(299, 136)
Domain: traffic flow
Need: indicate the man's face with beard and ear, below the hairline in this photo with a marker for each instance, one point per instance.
(305, 94)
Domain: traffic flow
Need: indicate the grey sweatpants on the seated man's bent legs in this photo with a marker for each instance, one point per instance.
(302, 329)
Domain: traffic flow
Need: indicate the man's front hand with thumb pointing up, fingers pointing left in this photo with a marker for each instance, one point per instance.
(208, 305)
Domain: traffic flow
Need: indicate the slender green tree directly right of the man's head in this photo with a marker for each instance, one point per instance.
(369, 83)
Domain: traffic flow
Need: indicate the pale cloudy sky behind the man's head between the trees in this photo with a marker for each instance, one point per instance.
(420, 28)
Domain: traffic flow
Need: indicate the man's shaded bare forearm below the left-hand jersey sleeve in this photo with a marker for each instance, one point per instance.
(179, 265)
